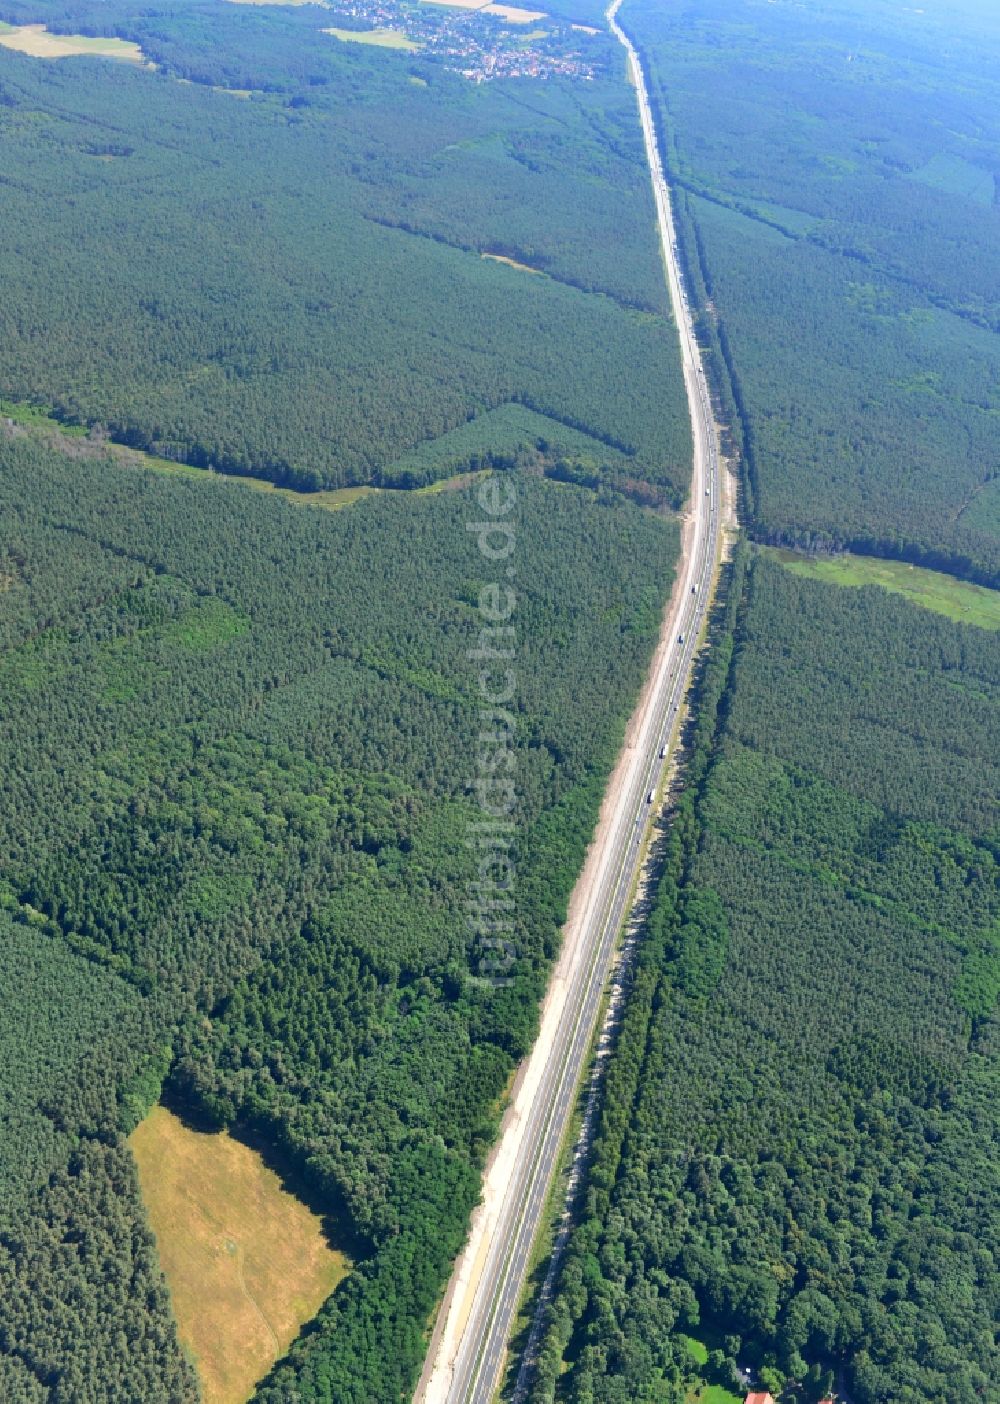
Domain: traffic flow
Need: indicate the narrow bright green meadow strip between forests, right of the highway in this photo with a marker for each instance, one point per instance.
(930, 589)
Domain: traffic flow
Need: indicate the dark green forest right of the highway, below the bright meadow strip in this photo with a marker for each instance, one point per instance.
(796, 1160)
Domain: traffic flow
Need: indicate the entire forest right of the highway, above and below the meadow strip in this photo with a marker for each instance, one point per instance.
(794, 1173)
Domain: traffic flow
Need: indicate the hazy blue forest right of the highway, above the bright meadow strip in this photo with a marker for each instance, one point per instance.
(838, 173)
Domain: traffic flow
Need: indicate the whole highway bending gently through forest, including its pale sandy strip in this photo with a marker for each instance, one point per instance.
(470, 1344)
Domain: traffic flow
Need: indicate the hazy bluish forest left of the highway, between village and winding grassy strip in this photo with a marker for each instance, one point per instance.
(290, 284)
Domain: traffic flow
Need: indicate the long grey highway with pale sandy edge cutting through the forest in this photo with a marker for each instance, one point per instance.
(473, 1372)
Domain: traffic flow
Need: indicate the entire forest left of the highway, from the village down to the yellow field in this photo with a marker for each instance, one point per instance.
(239, 735)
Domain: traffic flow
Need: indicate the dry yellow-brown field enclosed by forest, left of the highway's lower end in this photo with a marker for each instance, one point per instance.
(246, 1263)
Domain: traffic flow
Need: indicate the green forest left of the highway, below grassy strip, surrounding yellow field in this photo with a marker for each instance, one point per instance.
(238, 739)
